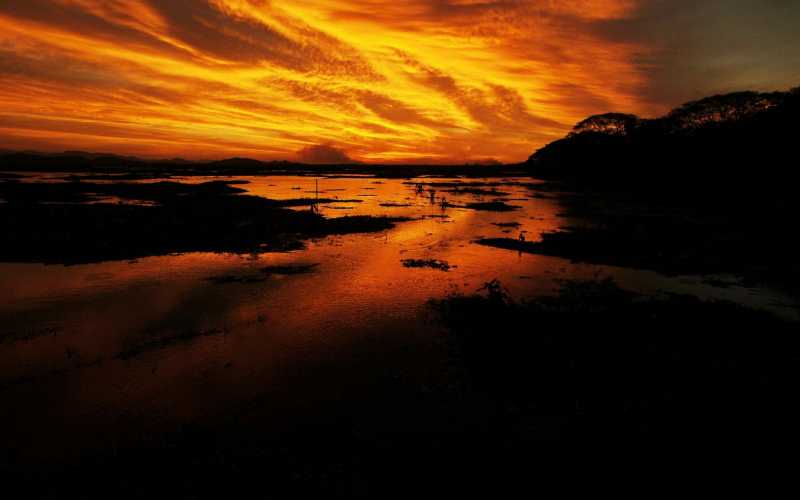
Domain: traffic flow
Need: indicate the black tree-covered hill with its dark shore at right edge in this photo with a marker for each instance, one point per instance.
(710, 187)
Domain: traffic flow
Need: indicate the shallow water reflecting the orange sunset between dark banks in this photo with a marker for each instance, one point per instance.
(92, 351)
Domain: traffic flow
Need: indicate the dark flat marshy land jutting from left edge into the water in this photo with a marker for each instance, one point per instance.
(72, 223)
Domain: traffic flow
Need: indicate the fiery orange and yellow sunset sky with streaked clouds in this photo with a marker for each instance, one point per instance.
(378, 81)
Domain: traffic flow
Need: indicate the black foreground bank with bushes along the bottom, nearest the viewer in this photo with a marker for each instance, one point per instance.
(592, 366)
